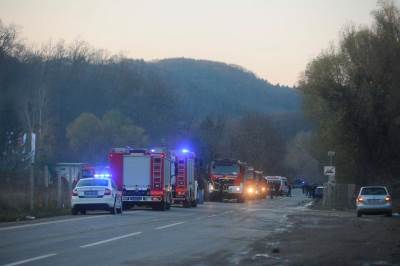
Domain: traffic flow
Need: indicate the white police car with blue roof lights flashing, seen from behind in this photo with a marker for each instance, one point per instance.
(96, 194)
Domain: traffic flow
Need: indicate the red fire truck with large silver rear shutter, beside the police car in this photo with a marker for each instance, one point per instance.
(143, 175)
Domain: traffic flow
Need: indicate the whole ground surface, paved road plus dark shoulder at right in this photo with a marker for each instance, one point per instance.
(281, 231)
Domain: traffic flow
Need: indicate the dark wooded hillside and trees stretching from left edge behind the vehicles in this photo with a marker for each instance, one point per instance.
(82, 101)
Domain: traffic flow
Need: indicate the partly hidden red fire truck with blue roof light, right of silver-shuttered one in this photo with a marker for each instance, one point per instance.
(184, 184)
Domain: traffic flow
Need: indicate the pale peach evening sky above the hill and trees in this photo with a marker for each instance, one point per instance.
(273, 38)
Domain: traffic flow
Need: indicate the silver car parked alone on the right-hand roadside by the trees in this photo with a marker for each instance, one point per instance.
(374, 200)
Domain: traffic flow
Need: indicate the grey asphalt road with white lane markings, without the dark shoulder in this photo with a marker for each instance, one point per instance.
(211, 234)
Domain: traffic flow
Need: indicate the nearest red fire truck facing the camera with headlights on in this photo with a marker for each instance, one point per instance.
(226, 179)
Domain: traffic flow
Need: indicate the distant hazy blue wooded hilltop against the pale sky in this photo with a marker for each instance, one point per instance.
(208, 87)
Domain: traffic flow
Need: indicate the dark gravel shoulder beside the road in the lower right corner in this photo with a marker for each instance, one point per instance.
(331, 238)
